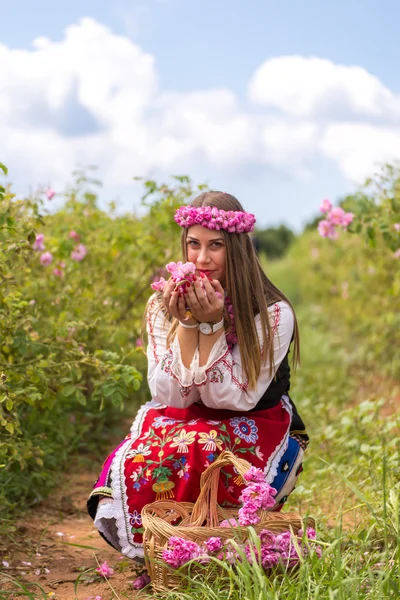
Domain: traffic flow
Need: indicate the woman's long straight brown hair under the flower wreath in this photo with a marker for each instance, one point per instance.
(251, 293)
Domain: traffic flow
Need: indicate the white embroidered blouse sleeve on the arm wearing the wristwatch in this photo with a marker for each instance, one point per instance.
(222, 382)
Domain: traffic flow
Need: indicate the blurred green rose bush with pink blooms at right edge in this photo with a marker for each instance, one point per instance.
(354, 277)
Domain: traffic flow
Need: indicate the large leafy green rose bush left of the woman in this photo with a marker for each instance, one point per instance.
(70, 331)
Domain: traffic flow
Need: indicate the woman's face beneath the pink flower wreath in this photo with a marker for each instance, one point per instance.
(206, 249)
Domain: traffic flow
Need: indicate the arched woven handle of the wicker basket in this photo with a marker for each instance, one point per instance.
(206, 506)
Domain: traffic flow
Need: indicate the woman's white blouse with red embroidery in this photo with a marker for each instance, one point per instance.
(221, 383)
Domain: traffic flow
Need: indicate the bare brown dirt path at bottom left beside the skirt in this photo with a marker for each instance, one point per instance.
(48, 551)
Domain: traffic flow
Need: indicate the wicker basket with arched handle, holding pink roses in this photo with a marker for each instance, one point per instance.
(199, 521)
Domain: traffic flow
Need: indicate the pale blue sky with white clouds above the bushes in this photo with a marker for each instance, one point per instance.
(282, 103)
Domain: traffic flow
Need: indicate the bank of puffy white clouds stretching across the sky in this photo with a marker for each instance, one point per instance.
(94, 98)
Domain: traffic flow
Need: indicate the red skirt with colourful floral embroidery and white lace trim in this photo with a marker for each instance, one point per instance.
(166, 452)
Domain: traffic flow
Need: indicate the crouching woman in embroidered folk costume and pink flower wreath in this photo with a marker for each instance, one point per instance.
(219, 376)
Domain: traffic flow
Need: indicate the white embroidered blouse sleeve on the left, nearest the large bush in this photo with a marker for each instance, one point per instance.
(170, 382)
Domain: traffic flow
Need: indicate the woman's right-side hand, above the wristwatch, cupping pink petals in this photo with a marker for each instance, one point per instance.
(203, 302)
